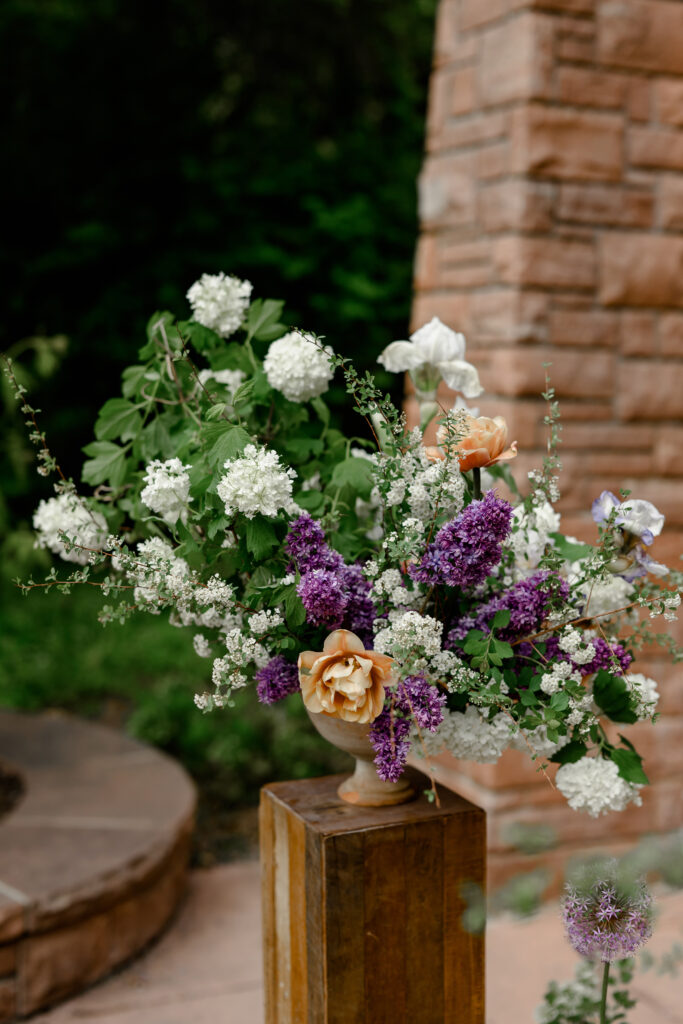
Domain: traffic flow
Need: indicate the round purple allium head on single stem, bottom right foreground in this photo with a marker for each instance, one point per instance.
(608, 917)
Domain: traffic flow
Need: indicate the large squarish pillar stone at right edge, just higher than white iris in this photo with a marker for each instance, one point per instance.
(642, 270)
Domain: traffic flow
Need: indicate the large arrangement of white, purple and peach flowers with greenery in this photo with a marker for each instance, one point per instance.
(390, 583)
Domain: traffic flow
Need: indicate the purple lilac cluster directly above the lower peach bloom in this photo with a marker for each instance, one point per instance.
(333, 594)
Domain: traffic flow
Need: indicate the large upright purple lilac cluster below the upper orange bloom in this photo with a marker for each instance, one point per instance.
(465, 550)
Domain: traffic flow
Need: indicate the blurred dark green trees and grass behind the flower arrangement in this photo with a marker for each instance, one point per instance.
(147, 144)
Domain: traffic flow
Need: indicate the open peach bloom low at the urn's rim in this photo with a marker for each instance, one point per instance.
(345, 680)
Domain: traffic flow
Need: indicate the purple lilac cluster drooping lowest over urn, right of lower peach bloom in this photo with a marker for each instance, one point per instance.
(415, 700)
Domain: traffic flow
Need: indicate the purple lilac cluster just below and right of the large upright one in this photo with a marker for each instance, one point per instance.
(528, 602)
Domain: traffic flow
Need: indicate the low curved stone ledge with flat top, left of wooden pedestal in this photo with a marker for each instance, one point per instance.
(93, 861)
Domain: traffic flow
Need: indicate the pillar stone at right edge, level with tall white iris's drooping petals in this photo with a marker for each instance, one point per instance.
(649, 391)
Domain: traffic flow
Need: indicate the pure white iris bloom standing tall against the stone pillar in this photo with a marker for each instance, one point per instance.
(434, 352)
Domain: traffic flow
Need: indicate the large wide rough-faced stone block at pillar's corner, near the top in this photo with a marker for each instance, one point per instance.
(552, 143)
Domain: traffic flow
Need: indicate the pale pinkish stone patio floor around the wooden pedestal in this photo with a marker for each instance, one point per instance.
(207, 968)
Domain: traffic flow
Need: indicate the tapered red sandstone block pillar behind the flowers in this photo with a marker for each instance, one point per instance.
(551, 204)
